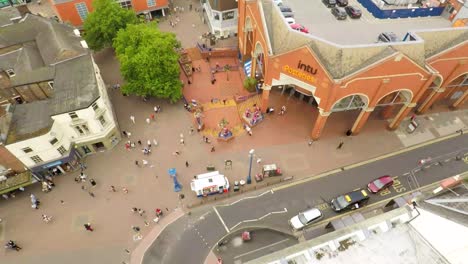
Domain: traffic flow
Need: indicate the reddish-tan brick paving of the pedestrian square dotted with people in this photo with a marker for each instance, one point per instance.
(279, 139)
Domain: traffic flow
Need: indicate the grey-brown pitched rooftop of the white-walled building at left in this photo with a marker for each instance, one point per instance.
(39, 50)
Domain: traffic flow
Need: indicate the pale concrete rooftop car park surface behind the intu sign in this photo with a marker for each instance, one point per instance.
(315, 16)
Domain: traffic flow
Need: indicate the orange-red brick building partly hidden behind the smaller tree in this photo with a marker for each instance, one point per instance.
(76, 11)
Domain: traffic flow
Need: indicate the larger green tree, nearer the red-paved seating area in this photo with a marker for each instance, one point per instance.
(149, 61)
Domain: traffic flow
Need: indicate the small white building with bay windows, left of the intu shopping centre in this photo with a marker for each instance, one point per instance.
(221, 16)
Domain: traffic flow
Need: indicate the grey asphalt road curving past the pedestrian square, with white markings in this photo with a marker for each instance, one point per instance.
(192, 237)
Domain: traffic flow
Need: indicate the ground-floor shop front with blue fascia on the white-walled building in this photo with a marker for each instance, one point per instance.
(66, 164)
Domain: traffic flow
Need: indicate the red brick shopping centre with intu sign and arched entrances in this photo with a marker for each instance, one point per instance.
(391, 79)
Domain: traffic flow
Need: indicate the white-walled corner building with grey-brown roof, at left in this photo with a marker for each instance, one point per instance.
(54, 93)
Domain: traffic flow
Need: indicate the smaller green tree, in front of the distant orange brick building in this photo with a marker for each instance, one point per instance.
(101, 25)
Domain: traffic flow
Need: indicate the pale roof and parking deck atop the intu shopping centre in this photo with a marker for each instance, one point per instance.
(343, 58)
